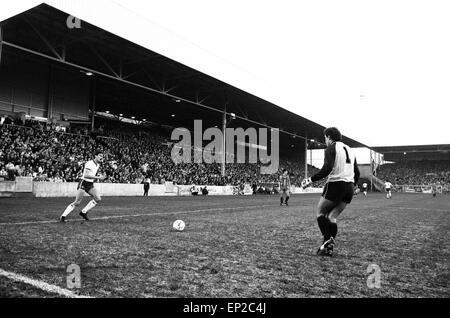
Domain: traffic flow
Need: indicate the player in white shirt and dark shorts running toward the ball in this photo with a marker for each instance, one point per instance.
(86, 185)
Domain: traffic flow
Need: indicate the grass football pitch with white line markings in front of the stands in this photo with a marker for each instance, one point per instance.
(231, 247)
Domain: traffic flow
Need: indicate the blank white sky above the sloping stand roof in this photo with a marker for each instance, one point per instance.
(377, 70)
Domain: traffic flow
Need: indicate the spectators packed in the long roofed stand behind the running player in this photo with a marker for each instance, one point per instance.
(44, 152)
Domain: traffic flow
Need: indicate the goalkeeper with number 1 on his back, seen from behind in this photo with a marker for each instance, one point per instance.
(343, 174)
